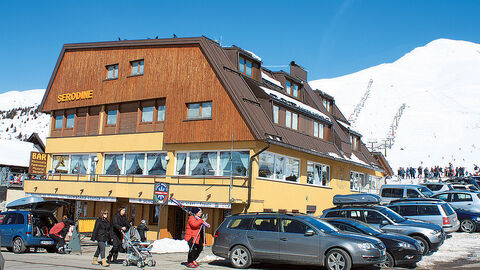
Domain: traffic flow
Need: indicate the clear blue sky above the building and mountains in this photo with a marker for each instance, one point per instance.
(329, 38)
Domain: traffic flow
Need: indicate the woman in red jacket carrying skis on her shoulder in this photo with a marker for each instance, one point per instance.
(195, 236)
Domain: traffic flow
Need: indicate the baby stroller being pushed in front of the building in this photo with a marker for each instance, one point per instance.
(137, 252)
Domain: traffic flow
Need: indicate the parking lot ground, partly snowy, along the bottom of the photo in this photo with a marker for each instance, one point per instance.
(458, 252)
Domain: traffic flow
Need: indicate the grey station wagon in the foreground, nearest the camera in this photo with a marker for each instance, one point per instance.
(293, 238)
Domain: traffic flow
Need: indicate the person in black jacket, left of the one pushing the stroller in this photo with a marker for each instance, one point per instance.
(101, 234)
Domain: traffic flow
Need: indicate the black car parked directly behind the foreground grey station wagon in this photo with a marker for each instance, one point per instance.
(401, 249)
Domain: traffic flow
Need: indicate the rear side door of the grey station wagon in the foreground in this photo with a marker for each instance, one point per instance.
(263, 238)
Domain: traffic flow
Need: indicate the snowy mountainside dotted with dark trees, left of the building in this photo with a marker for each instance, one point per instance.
(19, 116)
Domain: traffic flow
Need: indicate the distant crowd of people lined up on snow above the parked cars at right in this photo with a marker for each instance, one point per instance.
(435, 172)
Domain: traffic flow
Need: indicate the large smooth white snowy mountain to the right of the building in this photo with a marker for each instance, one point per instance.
(440, 85)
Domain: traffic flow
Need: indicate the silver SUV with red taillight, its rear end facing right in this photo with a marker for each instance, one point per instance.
(436, 212)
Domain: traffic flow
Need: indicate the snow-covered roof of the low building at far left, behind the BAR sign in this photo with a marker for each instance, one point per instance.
(15, 153)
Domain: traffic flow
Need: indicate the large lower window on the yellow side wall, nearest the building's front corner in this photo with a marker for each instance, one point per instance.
(279, 167)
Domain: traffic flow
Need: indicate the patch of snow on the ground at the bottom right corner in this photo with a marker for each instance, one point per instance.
(459, 246)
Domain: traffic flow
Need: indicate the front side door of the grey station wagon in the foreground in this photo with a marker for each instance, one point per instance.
(295, 246)
